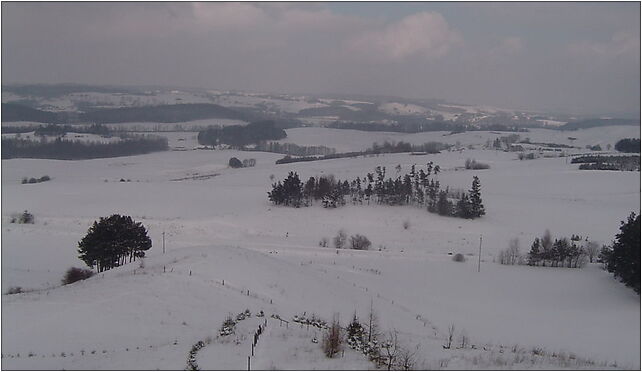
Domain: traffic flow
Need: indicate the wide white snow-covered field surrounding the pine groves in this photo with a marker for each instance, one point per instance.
(223, 239)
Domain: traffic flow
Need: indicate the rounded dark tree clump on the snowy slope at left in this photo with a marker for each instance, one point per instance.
(112, 241)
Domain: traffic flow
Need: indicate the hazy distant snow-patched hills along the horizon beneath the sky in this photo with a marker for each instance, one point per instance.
(65, 103)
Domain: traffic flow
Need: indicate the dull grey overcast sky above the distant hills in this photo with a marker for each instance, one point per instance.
(562, 57)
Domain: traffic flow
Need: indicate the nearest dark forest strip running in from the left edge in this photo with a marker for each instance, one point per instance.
(76, 150)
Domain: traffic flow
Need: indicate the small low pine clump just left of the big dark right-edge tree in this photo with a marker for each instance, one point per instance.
(557, 253)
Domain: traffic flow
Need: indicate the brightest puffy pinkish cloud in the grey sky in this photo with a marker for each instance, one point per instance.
(426, 34)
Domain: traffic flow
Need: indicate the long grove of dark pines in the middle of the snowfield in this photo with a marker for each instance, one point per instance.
(415, 188)
